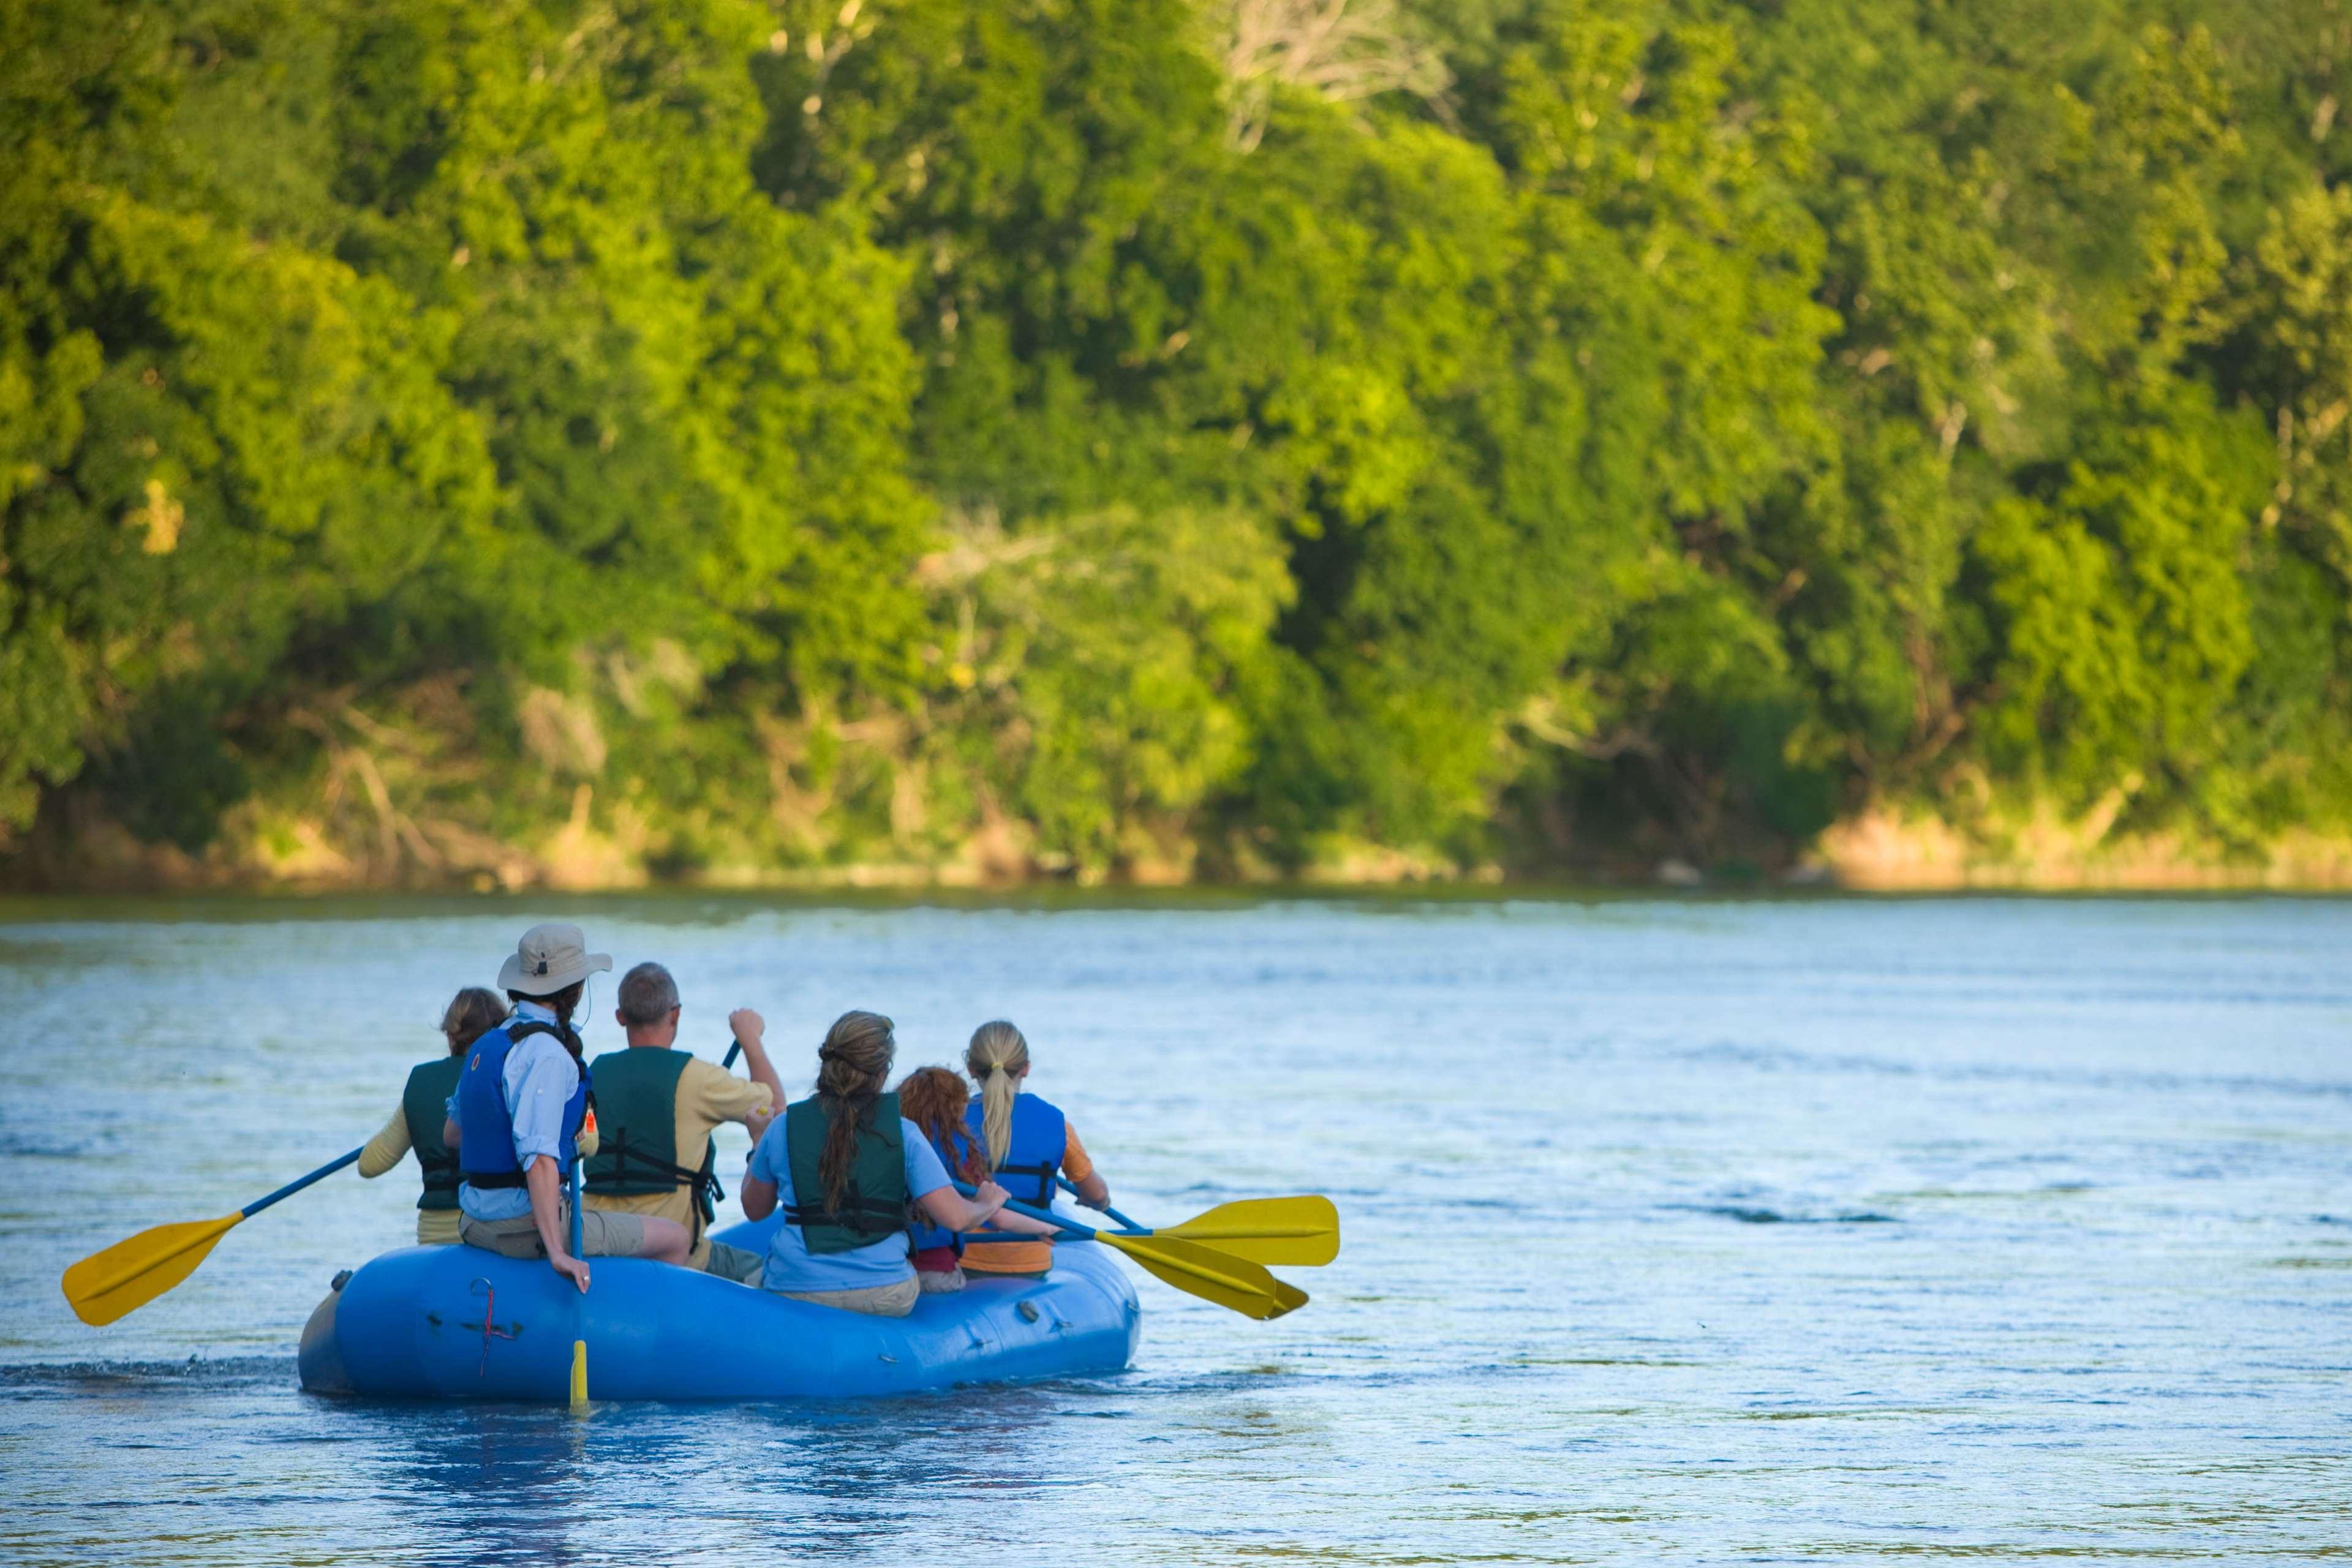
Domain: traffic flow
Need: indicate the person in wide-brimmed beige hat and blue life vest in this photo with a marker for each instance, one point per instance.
(516, 1120)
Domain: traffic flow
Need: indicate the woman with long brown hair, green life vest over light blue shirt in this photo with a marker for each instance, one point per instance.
(846, 1165)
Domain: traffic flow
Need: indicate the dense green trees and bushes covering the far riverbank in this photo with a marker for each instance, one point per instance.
(723, 438)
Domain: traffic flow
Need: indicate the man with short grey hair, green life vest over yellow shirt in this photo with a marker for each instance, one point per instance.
(657, 1104)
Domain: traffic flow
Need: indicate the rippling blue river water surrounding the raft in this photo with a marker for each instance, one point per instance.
(1678, 1231)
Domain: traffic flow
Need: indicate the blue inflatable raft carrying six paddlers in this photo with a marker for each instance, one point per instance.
(455, 1322)
